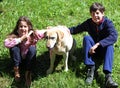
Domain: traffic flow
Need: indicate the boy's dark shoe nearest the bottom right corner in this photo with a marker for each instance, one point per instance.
(109, 83)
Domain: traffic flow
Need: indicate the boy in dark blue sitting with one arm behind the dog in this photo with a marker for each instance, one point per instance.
(102, 36)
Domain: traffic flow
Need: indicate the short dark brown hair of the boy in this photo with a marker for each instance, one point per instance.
(97, 6)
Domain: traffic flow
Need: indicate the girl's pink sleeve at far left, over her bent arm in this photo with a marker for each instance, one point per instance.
(11, 42)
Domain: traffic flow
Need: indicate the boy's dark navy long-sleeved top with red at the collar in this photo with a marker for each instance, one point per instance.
(104, 33)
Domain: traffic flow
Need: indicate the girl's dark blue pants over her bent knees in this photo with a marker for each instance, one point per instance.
(29, 61)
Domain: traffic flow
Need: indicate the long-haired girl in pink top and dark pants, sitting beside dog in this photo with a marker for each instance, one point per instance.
(22, 45)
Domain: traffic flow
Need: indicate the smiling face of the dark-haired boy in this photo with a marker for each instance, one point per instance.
(97, 16)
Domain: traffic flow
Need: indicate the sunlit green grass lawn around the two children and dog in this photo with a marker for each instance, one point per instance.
(45, 13)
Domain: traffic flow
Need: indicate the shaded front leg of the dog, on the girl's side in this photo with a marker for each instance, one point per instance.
(52, 60)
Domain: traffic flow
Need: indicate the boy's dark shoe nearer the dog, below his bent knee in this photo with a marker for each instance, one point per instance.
(90, 74)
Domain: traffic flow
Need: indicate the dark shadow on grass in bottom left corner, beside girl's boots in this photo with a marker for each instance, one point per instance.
(6, 68)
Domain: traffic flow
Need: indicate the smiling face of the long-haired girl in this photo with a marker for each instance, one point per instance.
(23, 28)
